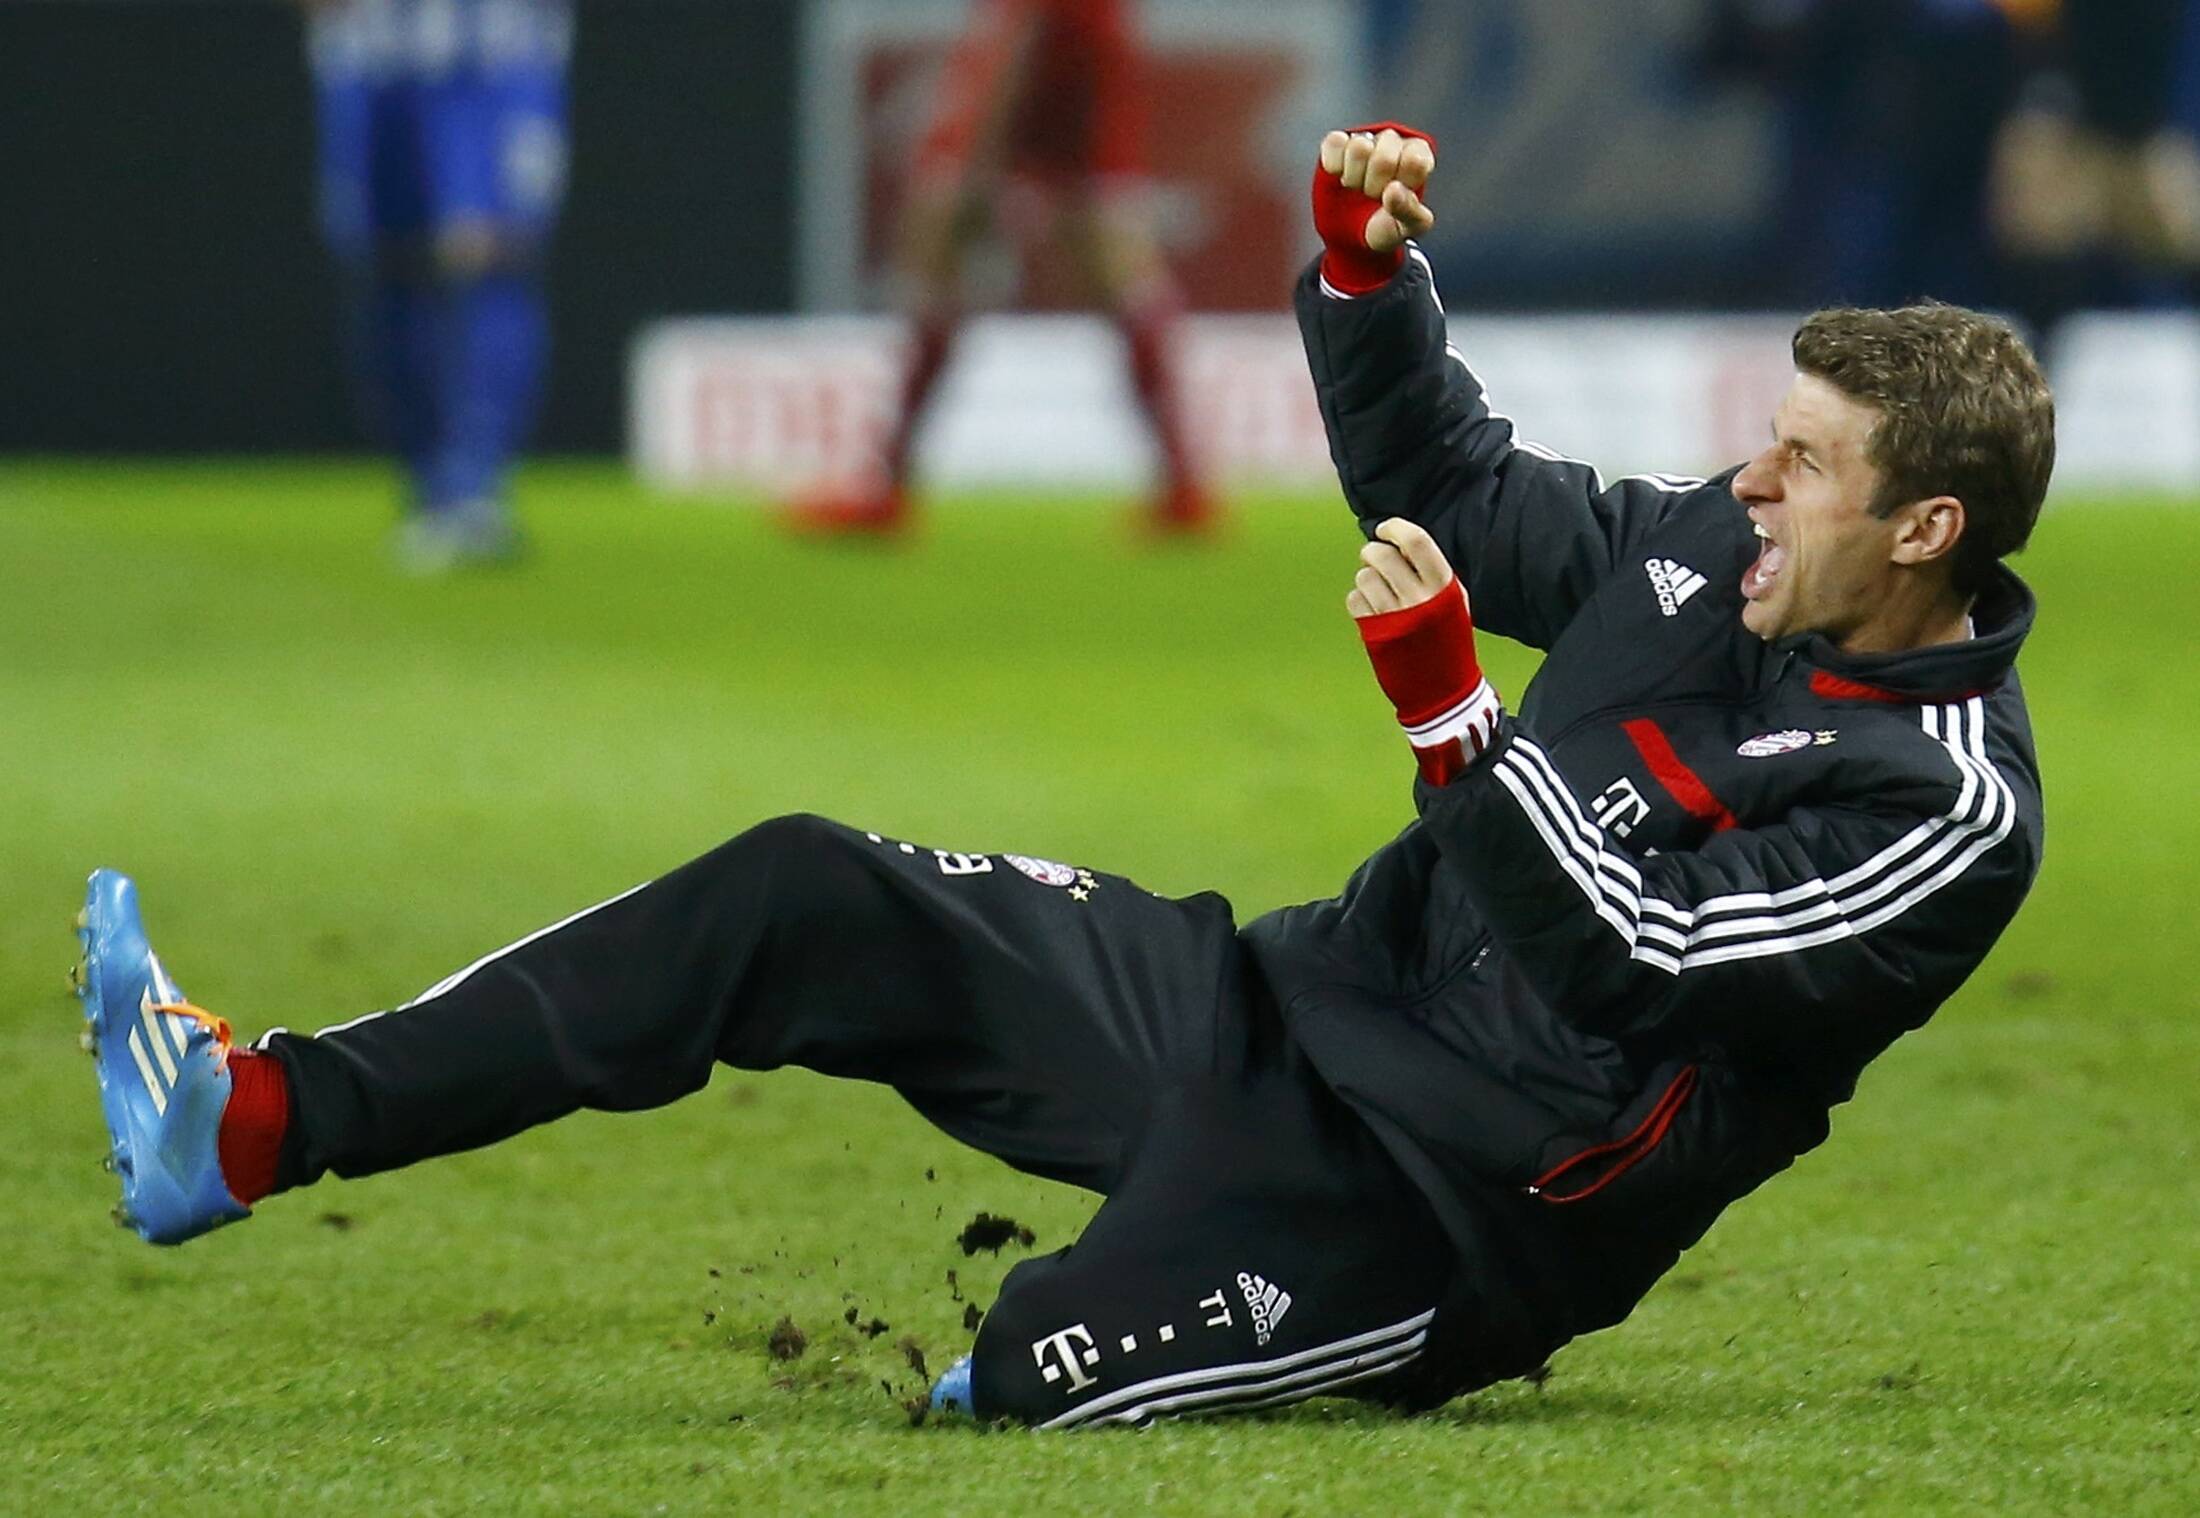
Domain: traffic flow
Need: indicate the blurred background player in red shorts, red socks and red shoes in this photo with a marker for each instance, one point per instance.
(1042, 107)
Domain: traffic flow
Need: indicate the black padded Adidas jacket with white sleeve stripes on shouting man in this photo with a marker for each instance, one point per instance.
(1622, 967)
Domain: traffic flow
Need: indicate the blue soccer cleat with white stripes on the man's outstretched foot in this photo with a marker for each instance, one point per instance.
(164, 1075)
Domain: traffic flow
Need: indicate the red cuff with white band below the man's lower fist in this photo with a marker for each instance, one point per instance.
(1424, 661)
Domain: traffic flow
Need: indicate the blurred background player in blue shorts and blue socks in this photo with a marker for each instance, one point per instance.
(443, 166)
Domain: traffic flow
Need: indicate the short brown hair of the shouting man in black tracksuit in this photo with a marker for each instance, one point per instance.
(1963, 410)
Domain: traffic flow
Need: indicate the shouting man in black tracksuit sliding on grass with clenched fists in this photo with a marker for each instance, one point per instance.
(1768, 804)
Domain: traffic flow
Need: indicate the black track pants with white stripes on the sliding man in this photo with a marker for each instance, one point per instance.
(1257, 1244)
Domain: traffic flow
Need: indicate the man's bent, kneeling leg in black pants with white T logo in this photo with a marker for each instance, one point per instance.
(1257, 1251)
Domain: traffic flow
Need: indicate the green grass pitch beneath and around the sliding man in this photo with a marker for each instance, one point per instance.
(335, 786)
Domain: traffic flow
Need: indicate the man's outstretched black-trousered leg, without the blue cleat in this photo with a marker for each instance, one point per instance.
(1024, 1006)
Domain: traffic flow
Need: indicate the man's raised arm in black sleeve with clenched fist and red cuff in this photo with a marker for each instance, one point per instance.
(1411, 428)
